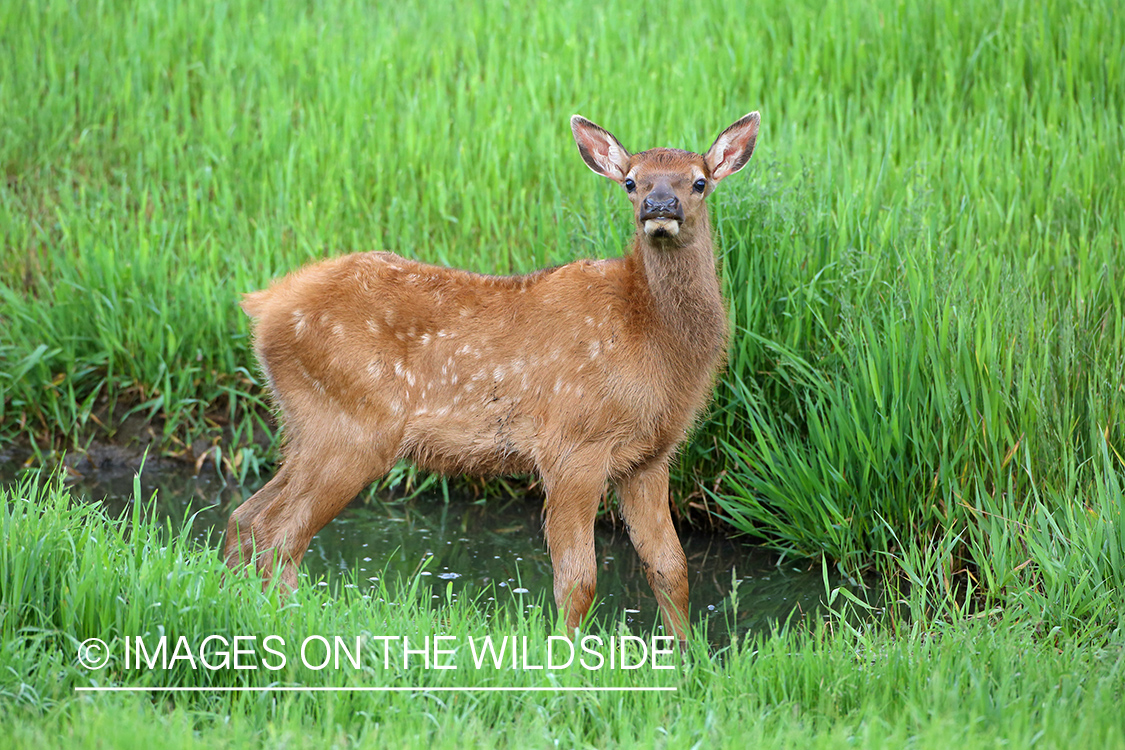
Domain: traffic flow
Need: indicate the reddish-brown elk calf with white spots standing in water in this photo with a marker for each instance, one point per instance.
(586, 375)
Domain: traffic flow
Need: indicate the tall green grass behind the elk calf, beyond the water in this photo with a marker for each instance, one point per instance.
(923, 261)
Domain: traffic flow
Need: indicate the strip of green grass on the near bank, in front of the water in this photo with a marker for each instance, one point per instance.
(68, 573)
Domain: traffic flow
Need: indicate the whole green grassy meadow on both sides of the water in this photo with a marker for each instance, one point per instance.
(923, 264)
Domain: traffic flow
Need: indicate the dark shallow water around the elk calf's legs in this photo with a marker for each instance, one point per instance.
(485, 550)
